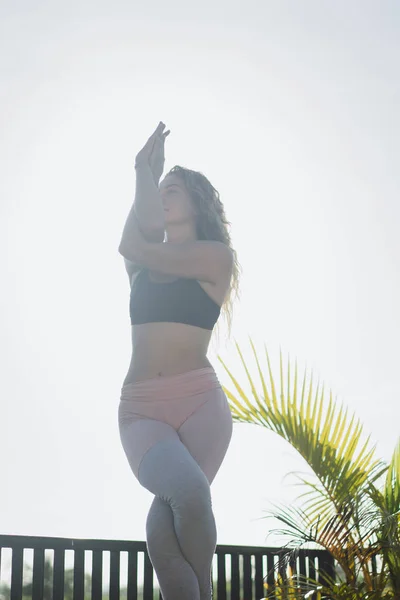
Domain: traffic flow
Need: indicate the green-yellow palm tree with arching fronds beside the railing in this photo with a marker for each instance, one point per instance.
(345, 513)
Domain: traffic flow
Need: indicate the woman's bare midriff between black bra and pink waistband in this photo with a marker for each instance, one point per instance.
(163, 349)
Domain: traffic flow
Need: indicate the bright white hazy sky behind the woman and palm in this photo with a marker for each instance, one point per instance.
(291, 111)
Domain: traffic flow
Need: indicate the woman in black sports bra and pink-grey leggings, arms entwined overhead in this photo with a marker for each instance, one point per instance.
(174, 419)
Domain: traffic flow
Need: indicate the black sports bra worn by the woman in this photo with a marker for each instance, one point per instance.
(180, 301)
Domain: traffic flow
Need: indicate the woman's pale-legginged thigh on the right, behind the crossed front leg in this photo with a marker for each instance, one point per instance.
(207, 433)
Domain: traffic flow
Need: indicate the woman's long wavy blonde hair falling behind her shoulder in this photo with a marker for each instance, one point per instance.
(212, 224)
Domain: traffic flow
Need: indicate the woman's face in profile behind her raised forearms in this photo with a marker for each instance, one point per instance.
(176, 201)
